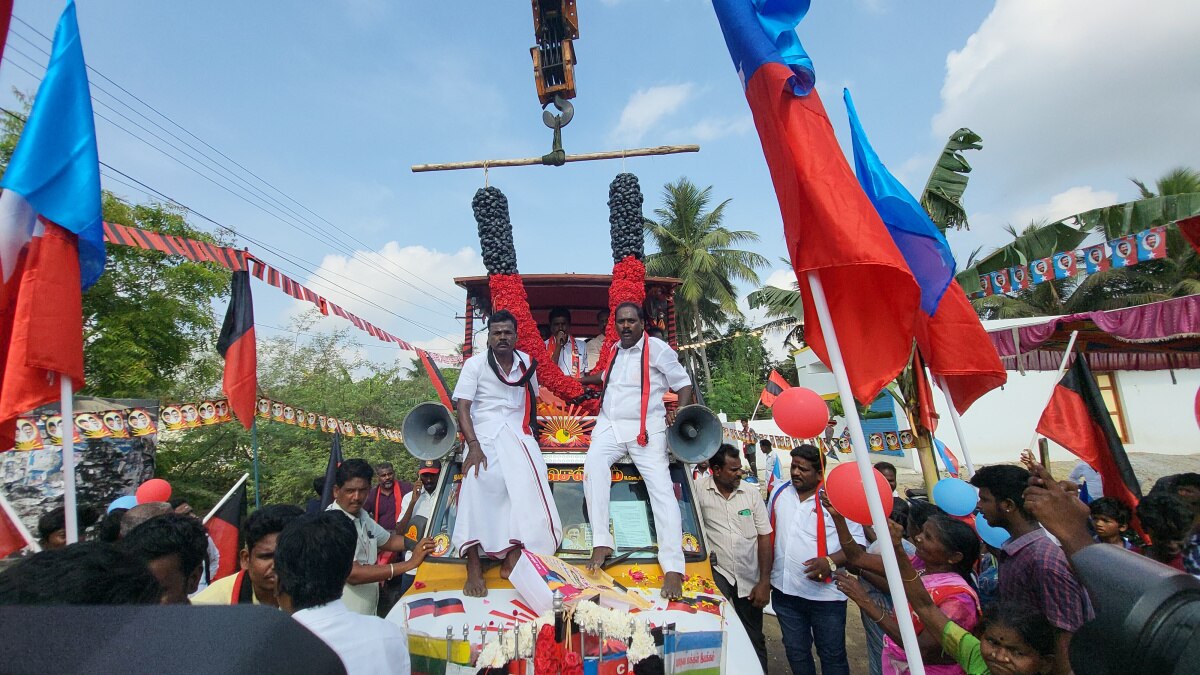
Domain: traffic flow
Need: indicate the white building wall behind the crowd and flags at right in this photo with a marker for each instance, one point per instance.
(1160, 415)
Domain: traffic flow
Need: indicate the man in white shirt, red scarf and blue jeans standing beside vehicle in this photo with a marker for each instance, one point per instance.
(809, 606)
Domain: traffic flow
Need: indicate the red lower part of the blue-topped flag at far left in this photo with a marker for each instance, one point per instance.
(41, 318)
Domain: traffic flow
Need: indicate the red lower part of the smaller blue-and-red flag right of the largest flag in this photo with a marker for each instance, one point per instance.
(956, 347)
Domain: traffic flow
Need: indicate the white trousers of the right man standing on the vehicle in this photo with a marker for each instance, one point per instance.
(652, 463)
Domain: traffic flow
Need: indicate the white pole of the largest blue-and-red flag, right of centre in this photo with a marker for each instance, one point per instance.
(891, 566)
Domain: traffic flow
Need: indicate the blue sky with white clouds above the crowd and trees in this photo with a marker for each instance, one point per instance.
(332, 103)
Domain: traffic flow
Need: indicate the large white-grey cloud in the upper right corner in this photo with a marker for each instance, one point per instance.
(1073, 88)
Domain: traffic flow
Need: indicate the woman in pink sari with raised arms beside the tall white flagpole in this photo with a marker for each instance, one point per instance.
(947, 552)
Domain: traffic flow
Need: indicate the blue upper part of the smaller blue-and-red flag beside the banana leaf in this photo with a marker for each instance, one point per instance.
(914, 232)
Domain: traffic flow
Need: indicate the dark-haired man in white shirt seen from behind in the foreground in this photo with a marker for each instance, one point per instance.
(314, 555)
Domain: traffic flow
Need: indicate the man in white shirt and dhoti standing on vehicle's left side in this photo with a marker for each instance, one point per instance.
(505, 503)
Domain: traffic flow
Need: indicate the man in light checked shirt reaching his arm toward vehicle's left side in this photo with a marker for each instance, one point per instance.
(352, 486)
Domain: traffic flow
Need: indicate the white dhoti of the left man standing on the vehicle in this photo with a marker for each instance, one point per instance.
(509, 504)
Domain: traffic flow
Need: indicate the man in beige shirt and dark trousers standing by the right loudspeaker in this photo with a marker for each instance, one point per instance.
(739, 536)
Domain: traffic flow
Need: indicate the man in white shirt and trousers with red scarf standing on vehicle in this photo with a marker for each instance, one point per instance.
(634, 421)
